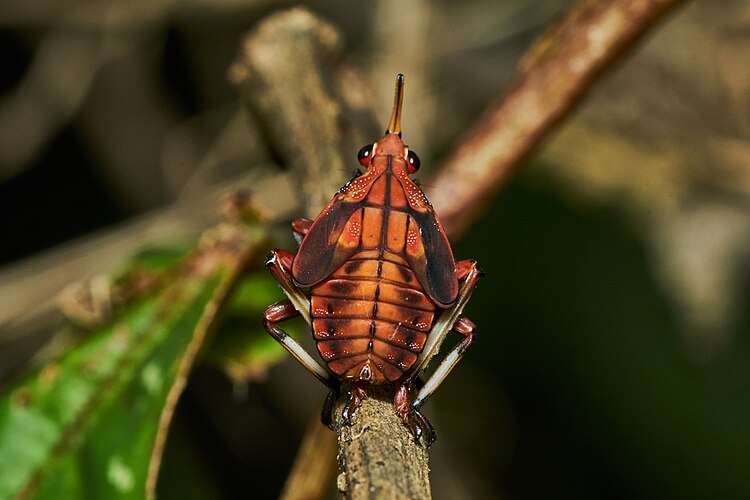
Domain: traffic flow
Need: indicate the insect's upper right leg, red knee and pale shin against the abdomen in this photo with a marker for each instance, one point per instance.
(469, 274)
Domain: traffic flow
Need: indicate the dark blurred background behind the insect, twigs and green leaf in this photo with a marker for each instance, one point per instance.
(613, 358)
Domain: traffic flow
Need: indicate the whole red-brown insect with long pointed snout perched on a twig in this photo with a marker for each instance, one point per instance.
(384, 289)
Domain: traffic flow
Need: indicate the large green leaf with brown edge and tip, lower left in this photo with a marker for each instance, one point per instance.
(93, 424)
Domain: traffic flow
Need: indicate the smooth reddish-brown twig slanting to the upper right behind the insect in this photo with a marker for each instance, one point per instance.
(552, 78)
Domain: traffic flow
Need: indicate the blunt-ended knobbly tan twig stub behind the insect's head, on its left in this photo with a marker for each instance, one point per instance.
(285, 74)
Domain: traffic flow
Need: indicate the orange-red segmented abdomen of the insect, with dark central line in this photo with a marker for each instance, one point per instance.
(371, 317)
